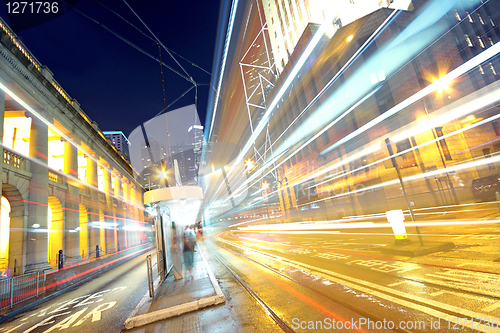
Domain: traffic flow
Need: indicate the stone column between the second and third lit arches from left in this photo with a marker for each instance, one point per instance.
(72, 203)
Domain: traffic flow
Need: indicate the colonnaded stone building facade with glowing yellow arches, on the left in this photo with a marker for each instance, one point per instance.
(64, 186)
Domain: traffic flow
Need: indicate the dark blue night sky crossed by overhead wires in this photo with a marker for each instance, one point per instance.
(116, 85)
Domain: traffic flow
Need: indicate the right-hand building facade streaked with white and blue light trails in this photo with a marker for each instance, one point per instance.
(430, 86)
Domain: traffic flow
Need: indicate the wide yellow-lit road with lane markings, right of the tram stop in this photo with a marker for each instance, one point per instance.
(308, 277)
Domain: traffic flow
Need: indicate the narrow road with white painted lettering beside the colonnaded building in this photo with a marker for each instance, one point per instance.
(100, 305)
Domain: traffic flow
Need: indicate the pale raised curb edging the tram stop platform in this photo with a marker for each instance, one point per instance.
(134, 321)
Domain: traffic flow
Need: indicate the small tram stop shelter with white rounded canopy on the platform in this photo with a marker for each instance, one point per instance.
(174, 208)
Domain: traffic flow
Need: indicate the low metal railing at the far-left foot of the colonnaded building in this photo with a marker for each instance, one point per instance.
(20, 288)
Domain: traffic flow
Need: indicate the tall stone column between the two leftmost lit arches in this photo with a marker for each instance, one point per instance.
(37, 247)
